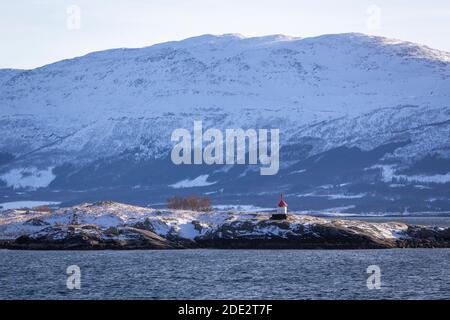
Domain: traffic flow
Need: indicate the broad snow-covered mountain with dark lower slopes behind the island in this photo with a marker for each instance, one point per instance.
(364, 122)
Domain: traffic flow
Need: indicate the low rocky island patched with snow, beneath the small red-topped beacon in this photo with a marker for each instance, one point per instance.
(111, 225)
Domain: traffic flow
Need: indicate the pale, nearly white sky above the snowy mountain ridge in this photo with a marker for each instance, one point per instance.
(37, 32)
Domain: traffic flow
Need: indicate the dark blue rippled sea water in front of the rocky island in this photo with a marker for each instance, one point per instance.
(226, 274)
